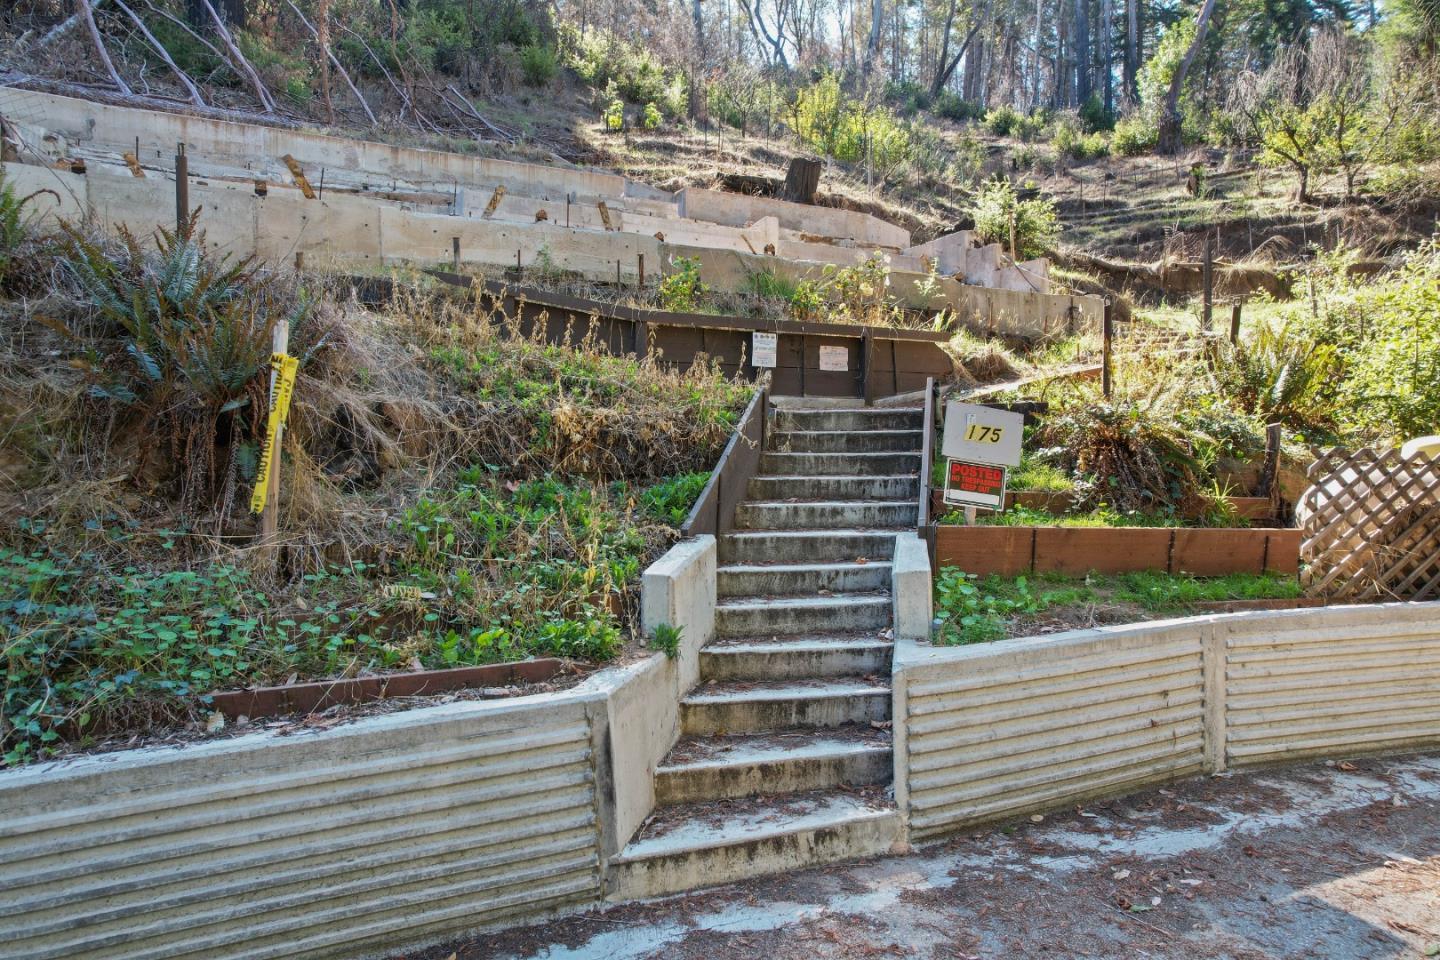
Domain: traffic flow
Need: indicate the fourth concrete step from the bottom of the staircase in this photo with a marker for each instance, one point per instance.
(797, 658)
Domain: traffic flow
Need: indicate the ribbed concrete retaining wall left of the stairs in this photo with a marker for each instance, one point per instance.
(390, 831)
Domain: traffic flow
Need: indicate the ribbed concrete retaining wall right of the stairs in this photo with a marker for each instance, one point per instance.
(1000, 730)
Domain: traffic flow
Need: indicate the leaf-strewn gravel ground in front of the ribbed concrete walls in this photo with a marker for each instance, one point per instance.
(1328, 861)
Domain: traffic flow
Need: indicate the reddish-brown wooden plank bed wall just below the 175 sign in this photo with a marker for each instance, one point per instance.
(1079, 551)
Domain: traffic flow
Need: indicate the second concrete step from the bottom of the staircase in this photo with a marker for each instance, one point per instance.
(734, 768)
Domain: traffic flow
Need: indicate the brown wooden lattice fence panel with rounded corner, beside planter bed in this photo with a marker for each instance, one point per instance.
(1372, 526)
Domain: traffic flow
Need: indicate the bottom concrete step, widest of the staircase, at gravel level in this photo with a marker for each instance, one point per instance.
(706, 846)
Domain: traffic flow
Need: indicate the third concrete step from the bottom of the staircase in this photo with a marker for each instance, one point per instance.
(750, 709)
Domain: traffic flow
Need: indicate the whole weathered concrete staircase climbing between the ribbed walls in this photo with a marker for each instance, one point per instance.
(786, 753)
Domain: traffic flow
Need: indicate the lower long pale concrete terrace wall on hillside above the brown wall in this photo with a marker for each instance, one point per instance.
(349, 231)
